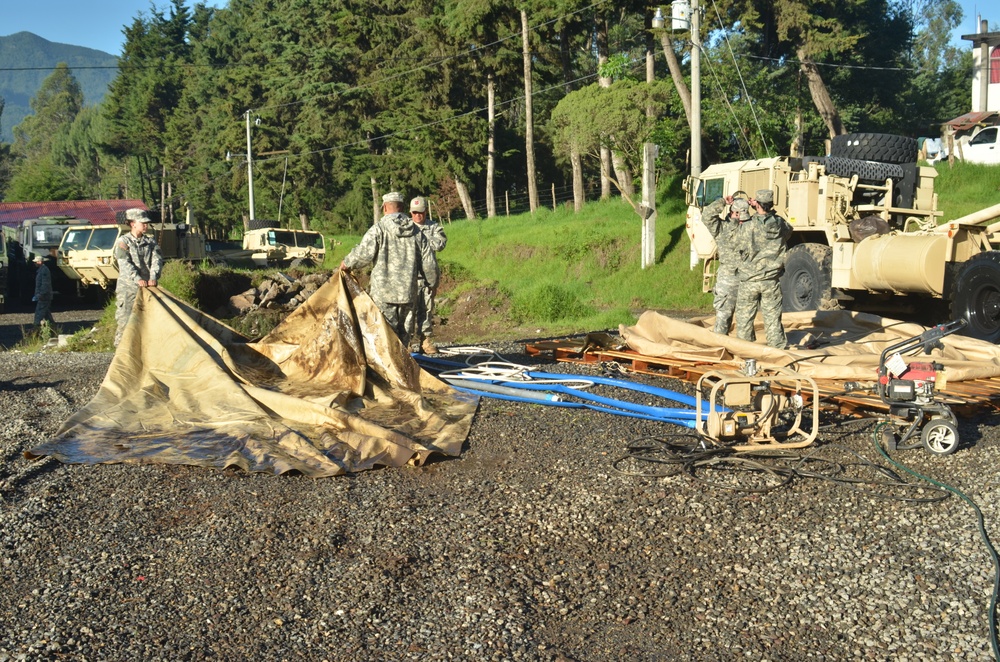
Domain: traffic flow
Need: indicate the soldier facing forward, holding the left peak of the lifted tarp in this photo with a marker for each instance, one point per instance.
(139, 265)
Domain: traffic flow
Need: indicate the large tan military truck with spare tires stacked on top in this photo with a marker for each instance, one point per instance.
(866, 234)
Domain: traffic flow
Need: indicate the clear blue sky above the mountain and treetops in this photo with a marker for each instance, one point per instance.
(98, 23)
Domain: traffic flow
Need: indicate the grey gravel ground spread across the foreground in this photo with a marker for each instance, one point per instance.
(530, 546)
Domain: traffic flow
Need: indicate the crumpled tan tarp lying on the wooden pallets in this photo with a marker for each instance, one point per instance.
(836, 345)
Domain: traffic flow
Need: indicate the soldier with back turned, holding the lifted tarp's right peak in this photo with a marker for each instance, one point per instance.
(398, 252)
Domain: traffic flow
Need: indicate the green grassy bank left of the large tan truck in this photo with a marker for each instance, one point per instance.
(566, 272)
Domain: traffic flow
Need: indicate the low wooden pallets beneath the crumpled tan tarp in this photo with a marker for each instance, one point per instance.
(964, 397)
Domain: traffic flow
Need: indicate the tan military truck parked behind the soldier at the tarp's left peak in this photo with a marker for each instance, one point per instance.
(86, 254)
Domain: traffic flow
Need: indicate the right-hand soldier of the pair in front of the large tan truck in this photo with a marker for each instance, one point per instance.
(762, 242)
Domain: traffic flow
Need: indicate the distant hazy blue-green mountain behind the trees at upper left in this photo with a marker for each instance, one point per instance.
(26, 60)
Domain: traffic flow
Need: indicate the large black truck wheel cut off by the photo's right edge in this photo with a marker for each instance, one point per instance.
(976, 296)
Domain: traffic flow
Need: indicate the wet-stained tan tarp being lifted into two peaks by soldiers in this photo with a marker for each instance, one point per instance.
(330, 390)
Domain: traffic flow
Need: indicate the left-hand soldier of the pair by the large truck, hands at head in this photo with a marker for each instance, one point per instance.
(723, 227)
